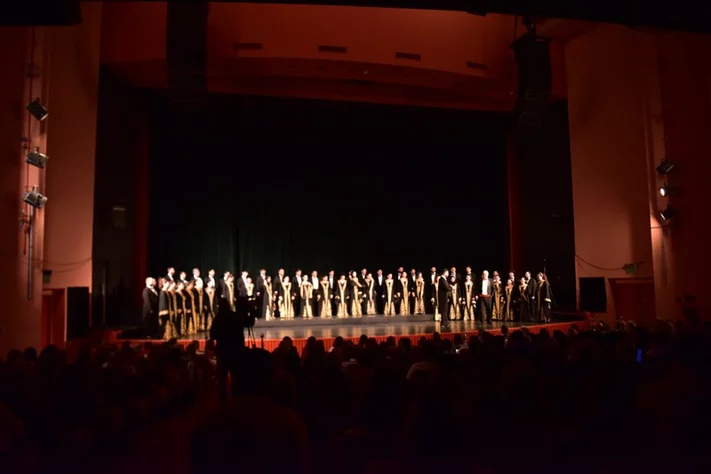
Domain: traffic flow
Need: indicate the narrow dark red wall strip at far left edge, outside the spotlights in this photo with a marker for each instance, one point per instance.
(20, 318)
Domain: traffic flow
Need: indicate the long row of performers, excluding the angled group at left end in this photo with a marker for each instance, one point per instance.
(357, 296)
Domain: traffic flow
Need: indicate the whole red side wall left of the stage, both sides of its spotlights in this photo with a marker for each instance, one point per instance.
(68, 56)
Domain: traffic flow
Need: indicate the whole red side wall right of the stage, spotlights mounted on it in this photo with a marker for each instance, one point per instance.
(635, 98)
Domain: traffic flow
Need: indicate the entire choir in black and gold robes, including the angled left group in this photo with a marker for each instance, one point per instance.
(181, 306)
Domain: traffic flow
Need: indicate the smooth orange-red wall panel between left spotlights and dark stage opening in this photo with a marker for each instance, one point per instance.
(71, 145)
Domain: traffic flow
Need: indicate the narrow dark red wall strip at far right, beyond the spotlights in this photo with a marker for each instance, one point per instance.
(685, 80)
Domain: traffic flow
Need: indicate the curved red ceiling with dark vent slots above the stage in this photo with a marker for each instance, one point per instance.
(435, 58)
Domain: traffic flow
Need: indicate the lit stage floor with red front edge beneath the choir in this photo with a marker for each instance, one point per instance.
(268, 334)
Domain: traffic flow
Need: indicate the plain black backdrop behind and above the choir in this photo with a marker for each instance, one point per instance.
(263, 182)
